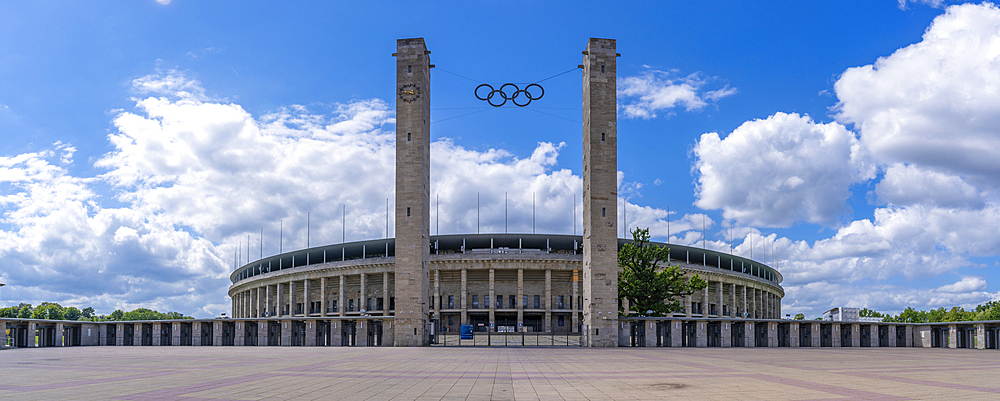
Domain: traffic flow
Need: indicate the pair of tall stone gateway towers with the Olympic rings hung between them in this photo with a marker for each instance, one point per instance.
(412, 321)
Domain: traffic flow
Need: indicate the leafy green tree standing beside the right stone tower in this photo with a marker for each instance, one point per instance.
(650, 289)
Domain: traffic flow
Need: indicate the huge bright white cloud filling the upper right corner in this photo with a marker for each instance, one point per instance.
(936, 103)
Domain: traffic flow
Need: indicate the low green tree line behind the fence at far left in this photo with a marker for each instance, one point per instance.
(54, 311)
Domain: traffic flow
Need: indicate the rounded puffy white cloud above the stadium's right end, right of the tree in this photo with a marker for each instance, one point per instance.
(780, 170)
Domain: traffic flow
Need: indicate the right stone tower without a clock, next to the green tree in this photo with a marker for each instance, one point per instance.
(600, 195)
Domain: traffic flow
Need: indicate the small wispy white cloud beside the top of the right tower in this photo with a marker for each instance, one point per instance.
(642, 96)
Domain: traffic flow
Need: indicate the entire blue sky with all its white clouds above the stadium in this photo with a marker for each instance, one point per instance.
(145, 141)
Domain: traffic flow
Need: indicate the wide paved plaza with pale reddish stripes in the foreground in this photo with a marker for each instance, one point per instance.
(287, 373)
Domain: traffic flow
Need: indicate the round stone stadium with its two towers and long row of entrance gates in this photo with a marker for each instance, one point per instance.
(510, 289)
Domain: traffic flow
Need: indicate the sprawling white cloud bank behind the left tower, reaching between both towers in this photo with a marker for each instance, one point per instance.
(193, 175)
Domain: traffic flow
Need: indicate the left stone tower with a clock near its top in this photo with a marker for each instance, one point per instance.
(412, 193)
